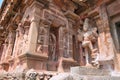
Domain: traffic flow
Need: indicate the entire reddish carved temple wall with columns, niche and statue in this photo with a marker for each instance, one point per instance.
(48, 34)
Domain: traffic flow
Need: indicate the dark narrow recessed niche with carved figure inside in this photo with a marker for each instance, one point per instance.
(53, 44)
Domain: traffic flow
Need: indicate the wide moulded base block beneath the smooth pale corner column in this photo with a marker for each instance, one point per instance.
(33, 61)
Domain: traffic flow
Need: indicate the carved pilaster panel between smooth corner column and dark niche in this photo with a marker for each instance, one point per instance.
(43, 37)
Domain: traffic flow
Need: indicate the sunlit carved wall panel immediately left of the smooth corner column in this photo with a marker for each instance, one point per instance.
(21, 43)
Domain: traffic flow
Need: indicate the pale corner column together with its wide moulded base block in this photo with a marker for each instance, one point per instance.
(31, 59)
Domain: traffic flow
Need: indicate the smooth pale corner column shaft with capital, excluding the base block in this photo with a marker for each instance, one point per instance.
(35, 21)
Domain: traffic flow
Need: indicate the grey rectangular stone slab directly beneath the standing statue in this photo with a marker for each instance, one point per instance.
(89, 71)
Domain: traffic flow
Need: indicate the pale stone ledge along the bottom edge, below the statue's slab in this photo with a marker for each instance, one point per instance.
(72, 76)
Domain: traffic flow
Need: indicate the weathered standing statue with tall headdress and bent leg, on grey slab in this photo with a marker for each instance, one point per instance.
(89, 42)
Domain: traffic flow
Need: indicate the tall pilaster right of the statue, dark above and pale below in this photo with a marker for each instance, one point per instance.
(106, 48)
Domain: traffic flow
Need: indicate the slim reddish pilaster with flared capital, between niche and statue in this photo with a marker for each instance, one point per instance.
(72, 17)
